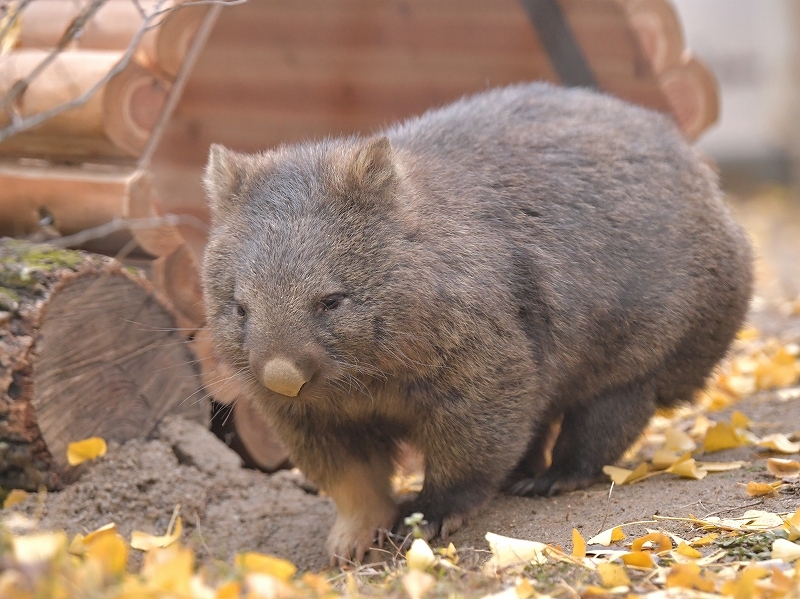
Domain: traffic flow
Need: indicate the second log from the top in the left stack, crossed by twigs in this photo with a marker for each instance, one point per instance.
(115, 121)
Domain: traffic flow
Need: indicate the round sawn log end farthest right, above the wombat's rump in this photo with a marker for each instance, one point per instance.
(693, 94)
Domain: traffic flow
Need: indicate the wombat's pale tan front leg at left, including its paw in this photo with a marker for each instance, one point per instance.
(365, 509)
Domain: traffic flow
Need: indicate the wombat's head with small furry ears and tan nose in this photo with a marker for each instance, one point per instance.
(297, 269)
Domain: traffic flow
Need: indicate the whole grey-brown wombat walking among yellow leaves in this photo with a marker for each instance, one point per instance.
(463, 280)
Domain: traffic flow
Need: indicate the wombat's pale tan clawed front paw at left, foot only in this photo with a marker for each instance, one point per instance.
(352, 536)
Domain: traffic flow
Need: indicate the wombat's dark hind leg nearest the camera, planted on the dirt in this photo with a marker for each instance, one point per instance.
(593, 434)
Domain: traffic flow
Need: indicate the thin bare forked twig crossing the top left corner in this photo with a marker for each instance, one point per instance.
(19, 123)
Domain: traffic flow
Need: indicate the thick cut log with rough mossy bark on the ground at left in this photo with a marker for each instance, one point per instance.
(85, 350)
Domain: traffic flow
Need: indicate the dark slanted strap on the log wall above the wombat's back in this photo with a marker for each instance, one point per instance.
(560, 44)
